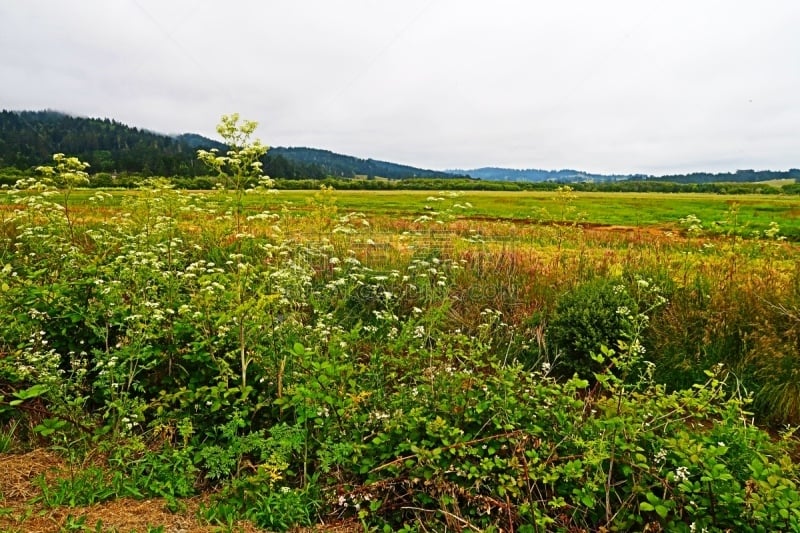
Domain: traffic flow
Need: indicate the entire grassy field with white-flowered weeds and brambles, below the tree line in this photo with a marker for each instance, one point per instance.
(387, 361)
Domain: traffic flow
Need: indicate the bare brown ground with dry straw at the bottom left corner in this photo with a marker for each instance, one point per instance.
(18, 513)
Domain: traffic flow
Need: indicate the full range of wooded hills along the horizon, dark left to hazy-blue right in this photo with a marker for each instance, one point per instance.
(29, 138)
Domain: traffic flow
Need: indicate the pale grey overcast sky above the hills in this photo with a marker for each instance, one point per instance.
(603, 86)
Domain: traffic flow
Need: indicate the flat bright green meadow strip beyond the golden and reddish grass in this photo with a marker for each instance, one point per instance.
(718, 213)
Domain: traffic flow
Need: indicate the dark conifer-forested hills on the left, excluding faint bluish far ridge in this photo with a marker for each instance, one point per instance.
(29, 138)
